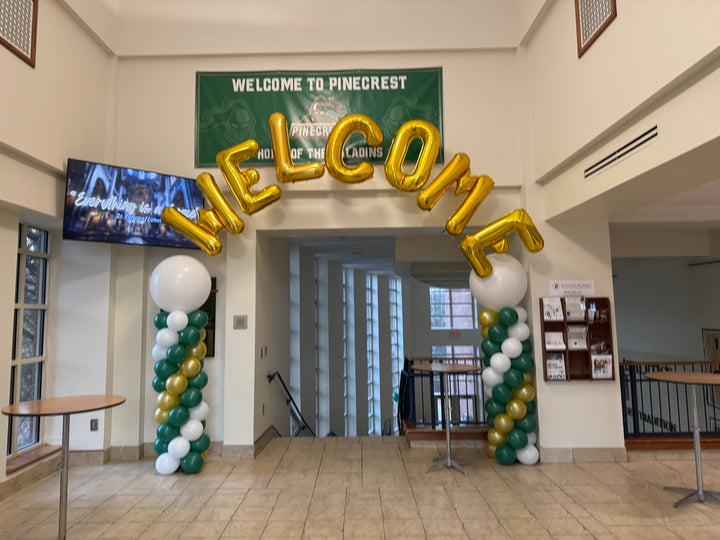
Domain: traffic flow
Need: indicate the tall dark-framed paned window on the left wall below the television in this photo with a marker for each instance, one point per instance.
(29, 324)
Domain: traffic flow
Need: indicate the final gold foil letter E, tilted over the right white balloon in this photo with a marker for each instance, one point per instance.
(495, 235)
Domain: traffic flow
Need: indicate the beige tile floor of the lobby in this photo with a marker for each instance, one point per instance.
(369, 488)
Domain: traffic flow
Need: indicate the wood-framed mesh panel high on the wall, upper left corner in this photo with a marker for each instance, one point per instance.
(18, 27)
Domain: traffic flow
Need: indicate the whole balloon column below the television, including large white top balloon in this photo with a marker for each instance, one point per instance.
(179, 285)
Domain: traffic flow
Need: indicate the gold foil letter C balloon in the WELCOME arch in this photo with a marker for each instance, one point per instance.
(336, 141)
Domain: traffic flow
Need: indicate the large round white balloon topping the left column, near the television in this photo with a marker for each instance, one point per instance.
(180, 283)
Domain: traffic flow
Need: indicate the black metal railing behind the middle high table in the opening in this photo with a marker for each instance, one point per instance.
(422, 393)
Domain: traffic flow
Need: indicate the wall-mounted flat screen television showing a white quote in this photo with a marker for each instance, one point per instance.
(104, 203)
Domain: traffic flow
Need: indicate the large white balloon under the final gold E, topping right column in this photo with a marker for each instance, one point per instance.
(504, 287)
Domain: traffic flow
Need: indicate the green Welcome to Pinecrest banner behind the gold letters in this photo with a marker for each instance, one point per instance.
(233, 107)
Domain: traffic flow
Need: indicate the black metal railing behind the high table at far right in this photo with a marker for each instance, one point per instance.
(661, 408)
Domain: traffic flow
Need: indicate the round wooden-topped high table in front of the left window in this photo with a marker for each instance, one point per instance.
(64, 406)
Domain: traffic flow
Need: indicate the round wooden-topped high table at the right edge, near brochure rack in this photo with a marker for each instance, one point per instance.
(693, 379)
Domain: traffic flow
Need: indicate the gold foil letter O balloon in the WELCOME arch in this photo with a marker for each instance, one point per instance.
(430, 137)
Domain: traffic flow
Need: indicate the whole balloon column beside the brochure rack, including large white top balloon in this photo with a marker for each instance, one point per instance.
(508, 372)
